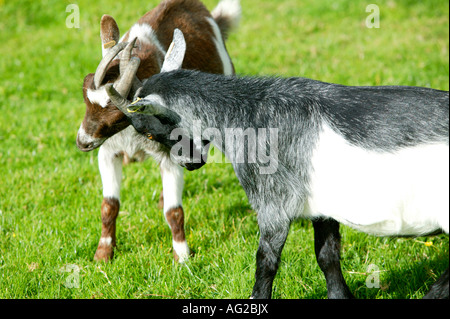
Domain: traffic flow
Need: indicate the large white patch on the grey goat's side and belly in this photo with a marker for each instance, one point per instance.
(386, 194)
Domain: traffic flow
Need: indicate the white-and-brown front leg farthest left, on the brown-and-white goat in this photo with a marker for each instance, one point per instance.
(110, 166)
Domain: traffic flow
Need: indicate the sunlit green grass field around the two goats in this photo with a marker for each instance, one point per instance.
(50, 192)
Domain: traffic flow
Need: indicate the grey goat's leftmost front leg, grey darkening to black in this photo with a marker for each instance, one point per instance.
(268, 256)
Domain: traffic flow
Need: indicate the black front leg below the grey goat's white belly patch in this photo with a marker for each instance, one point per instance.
(327, 242)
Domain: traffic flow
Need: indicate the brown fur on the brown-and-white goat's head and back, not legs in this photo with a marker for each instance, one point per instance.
(201, 54)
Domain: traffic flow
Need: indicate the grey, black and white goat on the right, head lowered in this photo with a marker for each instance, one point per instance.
(373, 158)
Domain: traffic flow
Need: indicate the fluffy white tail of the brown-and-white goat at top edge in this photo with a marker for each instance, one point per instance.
(227, 15)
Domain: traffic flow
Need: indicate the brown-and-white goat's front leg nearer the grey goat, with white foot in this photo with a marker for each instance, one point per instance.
(173, 183)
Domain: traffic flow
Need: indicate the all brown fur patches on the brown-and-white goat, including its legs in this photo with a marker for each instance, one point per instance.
(101, 123)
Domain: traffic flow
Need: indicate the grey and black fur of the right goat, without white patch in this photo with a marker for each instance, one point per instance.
(380, 119)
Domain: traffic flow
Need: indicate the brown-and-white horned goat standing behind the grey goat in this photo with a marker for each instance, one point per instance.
(142, 50)
